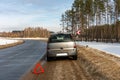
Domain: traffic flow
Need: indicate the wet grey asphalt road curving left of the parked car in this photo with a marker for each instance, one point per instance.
(15, 61)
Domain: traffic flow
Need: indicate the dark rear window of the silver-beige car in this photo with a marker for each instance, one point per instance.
(60, 38)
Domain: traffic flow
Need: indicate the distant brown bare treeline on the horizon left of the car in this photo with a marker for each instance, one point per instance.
(27, 32)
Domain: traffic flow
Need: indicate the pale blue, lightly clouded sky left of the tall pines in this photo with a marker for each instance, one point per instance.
(18, 14)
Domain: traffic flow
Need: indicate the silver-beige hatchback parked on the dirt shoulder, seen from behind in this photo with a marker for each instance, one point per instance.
(61, 45)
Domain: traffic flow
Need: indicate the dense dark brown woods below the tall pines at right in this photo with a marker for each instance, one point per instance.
(102, 33)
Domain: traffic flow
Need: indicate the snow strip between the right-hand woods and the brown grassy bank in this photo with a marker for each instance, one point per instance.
(112, 48)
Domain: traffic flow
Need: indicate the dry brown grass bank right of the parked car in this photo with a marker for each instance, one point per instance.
(100, 65)
